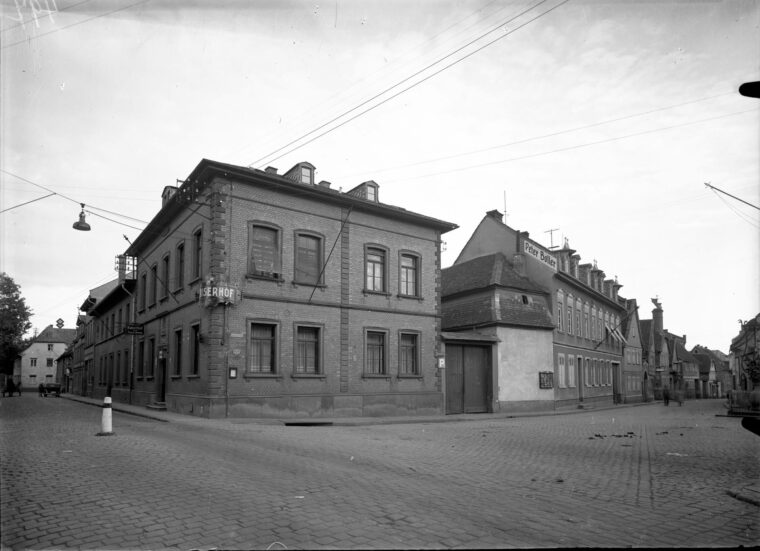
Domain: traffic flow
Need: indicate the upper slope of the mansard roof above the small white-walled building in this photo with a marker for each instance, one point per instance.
(483, 272)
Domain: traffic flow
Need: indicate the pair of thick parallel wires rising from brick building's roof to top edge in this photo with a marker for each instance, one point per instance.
(414, 85)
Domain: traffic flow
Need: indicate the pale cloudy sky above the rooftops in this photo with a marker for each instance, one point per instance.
(595, 121)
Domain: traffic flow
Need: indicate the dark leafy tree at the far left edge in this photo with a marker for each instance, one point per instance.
(14, 322)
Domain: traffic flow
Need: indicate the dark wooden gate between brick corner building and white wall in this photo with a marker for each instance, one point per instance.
(468, 373)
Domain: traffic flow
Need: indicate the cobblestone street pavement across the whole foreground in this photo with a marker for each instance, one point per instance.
(645, 476)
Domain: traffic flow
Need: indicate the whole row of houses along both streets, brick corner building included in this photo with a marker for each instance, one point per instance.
(258, 294)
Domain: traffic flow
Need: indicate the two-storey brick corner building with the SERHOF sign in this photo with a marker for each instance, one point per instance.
(266, 295)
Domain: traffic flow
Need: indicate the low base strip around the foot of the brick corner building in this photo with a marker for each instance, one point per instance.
(308, 406)
